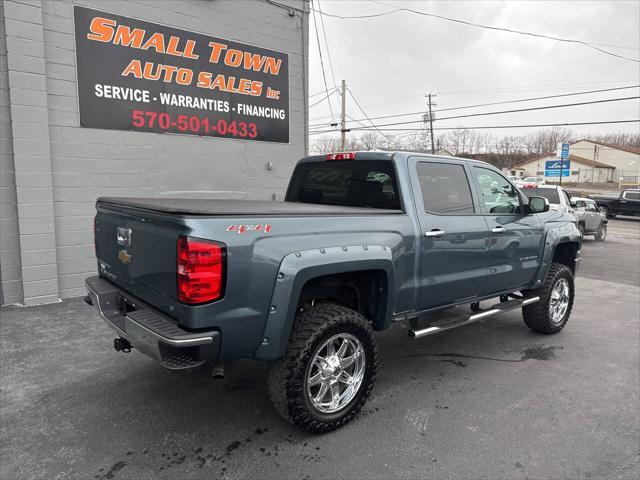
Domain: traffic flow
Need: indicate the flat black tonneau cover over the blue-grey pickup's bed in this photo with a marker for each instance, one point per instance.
(215, 207)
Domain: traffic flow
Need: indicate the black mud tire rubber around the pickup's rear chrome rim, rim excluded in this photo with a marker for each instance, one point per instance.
(286, 377)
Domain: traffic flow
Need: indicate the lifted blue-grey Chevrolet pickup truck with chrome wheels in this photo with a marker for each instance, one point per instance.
(361, 241)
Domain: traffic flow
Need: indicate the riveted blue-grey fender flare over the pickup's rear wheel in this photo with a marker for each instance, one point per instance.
(297, 268)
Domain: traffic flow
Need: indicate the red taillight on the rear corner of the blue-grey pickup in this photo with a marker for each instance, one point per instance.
(200, 270)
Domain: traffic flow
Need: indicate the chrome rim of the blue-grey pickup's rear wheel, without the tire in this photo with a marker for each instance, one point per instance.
(336, 373)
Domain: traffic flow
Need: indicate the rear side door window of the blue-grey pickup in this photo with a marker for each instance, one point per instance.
(445, 188)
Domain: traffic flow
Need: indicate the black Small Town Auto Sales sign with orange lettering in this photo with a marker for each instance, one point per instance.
(136, 75)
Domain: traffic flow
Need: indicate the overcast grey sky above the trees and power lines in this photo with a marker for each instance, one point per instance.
(390, 62)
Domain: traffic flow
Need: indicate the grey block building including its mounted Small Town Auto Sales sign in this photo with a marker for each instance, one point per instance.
(137, 98)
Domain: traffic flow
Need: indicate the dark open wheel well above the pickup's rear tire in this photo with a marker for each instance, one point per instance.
(363, 291)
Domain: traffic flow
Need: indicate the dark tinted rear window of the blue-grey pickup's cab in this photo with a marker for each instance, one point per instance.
(352, 183)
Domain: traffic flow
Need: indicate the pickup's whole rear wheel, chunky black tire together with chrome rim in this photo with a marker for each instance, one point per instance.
(328, 371)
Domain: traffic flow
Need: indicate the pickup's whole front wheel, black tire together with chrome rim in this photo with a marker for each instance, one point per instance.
(550, 314)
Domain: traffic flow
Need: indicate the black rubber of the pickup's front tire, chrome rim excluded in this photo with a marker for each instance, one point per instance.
(536, 315)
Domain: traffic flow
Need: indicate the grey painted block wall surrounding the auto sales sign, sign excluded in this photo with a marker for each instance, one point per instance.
(62, 168)
